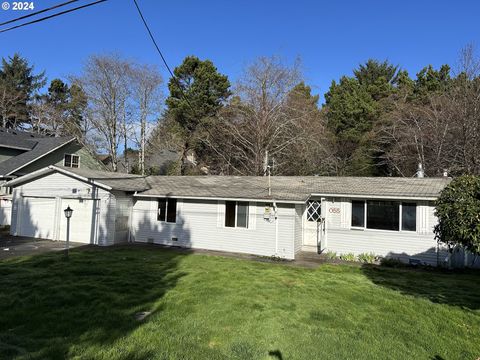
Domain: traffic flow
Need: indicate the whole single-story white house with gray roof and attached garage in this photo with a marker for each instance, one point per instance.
(391, 217)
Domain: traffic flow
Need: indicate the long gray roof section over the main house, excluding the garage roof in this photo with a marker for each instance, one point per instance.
(292, 188)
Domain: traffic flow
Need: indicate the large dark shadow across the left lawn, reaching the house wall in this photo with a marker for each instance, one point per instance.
(52, 308)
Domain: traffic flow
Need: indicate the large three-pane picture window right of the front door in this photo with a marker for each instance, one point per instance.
(384, 215)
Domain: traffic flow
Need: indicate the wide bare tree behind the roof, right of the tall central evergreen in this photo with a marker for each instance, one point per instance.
(259, 119)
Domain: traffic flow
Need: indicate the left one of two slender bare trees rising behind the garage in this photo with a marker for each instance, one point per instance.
(105, 81)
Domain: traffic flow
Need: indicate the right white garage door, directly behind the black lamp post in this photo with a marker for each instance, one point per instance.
(81, 229)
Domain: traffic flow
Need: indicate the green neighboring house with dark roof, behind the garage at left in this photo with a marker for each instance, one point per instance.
(22, 153)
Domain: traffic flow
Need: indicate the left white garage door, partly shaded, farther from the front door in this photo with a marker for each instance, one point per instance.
(37, 217)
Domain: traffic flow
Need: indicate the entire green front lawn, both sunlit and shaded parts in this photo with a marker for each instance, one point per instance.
(208, 307)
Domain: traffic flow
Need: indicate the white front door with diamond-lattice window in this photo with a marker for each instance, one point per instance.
(314, 226)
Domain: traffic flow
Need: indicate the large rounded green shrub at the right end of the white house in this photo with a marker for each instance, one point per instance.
(457, 210)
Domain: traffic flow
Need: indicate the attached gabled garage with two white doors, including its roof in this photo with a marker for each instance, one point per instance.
(101, 204)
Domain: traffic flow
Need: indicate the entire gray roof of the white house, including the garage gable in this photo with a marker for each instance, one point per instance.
(283, 188)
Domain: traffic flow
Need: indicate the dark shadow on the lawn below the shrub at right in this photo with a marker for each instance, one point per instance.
(457, 288)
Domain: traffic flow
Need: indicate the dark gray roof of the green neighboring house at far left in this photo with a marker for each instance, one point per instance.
(35, 146)
